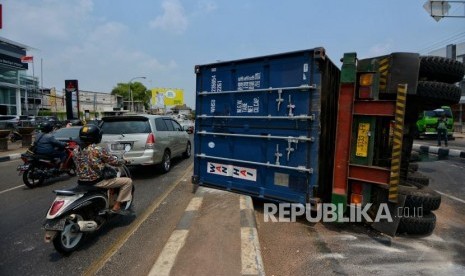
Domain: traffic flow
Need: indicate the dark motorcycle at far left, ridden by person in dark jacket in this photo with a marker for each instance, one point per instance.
(37, 168)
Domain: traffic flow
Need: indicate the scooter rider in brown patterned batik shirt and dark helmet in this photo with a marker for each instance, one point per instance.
(90, 161)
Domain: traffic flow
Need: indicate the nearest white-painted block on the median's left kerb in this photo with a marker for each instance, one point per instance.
(168, 256)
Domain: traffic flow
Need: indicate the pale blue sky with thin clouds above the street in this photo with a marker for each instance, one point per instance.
(104, 42)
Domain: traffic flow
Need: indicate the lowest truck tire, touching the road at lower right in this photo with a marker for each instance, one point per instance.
(415, 225)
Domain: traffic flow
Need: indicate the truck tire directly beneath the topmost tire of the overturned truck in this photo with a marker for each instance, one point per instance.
(432, 94)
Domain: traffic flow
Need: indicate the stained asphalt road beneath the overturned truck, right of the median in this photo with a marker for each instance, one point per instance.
(302, 248)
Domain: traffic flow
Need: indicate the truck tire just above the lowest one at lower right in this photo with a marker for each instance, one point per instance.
(424, 197)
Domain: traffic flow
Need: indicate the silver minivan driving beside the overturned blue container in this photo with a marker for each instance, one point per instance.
(152, 139)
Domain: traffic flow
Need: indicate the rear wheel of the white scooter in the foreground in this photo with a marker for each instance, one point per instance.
(70, 238)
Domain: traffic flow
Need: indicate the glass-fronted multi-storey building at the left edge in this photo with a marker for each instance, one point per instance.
(19, 93)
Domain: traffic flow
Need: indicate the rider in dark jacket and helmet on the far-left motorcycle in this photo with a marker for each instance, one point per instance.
(46, 144)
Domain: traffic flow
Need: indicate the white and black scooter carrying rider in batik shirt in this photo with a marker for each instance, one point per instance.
(80, 210)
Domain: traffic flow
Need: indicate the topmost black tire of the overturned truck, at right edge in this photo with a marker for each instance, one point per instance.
(433, 68)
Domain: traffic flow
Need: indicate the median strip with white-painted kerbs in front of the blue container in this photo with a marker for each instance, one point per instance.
(217, 235)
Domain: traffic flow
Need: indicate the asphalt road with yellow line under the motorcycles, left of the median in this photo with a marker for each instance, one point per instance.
(127, 246)
